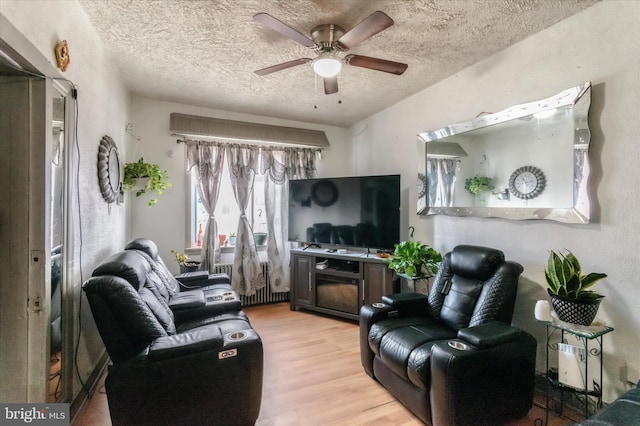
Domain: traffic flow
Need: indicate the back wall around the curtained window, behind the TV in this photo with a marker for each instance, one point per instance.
(165, 223)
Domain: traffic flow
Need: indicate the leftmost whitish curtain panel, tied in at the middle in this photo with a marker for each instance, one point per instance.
(208, 157)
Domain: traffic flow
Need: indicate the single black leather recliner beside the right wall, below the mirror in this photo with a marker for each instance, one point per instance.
(452, 357)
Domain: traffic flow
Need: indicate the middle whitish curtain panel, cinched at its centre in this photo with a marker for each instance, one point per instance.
(246, 275)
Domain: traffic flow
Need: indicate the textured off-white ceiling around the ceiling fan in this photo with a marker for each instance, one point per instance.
(204, 52)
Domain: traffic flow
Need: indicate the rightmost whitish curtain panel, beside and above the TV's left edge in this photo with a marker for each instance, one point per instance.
(280, 165)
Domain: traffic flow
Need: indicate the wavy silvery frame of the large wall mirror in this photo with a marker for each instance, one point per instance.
(579, 98)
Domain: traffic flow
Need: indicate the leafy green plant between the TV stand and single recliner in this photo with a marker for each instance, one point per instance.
(413, 260)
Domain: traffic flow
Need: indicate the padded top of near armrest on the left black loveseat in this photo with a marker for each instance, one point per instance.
(197, 340)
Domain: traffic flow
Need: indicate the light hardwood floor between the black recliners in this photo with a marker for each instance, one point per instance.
(313, 376)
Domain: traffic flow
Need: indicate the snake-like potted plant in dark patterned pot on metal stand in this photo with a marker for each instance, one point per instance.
(568, 288)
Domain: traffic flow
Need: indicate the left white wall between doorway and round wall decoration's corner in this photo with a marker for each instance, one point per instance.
(102, 109)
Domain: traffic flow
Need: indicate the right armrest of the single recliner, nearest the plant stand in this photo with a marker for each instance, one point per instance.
(503, 372)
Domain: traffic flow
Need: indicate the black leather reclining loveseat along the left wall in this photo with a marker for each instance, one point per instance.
(179, 357)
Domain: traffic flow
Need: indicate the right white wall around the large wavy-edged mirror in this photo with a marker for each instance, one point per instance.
(601, 45)
